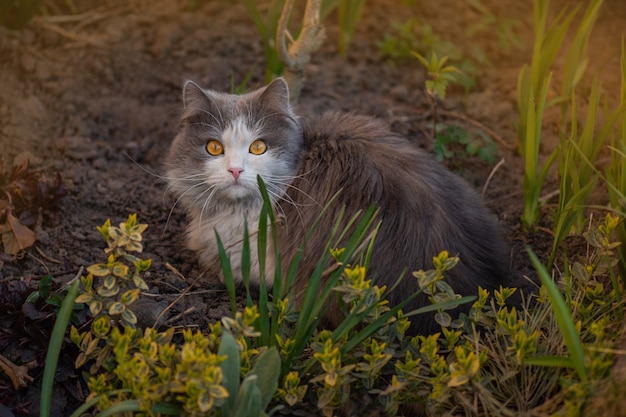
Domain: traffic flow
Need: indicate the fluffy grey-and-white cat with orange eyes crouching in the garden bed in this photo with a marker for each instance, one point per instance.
(226, 140)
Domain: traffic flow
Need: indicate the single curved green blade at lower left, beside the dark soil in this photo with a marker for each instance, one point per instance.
(54, 348)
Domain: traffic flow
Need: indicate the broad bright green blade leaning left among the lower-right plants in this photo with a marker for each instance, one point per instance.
(563, 317)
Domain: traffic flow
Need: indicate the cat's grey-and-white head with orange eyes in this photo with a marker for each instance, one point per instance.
(226, 140)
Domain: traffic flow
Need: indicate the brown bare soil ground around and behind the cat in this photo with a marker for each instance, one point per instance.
(94, 97)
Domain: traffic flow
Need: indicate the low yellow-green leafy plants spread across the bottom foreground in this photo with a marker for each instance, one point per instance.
(496, 360)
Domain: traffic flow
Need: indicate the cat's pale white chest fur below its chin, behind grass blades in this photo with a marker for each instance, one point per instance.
(229, 224)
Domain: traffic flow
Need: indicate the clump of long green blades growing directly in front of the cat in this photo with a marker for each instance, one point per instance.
(355, 236)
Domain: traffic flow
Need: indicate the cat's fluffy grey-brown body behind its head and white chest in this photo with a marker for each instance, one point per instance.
(424, 208)
